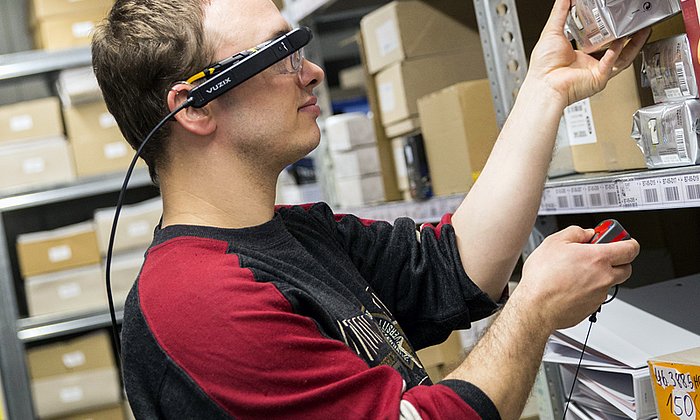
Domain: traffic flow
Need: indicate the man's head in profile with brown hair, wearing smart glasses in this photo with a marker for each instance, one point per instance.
(146, 49)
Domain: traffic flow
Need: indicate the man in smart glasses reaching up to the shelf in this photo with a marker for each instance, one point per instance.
(250, 311)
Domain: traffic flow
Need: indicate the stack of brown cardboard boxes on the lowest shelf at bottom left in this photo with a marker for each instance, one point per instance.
(74, 376)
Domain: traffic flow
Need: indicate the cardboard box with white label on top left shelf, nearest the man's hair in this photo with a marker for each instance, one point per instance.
(67, 31)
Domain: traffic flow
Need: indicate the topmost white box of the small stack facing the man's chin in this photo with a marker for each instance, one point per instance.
(347, 131)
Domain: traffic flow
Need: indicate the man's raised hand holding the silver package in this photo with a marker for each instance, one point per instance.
(573, 74)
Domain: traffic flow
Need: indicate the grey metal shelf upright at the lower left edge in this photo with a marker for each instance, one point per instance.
(13, 368)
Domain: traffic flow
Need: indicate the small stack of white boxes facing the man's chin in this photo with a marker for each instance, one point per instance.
(356, 164)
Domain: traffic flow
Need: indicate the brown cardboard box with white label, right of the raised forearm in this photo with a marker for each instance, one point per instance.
(596, 133)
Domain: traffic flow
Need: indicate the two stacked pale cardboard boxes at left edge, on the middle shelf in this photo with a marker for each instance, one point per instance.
(33, 149)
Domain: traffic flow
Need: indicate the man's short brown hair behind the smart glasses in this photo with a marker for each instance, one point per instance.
(138, 53)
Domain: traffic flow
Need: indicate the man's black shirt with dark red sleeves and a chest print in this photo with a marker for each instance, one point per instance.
(311, 315)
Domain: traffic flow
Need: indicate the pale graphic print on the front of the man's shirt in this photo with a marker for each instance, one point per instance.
(365, 333)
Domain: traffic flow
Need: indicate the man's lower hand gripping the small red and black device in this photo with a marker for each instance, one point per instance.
(567, 279)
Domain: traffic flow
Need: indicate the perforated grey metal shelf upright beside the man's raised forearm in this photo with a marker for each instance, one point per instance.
(504, 53)
